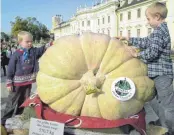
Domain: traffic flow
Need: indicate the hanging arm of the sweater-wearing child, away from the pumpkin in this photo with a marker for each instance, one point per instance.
(11, 70)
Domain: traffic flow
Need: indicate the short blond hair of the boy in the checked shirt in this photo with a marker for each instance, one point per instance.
(158, 8)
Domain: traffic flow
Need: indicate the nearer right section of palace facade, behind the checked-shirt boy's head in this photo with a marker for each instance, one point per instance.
(140, 23)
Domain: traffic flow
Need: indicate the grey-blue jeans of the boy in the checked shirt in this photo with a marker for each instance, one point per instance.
(163, 103)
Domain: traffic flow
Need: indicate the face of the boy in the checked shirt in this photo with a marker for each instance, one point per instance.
(153, 21)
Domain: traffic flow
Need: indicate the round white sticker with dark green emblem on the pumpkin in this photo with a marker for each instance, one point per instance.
(123, 88)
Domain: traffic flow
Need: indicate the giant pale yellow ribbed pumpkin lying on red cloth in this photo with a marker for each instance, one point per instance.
(76, 75)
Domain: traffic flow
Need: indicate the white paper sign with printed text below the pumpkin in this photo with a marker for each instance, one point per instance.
(44, 127)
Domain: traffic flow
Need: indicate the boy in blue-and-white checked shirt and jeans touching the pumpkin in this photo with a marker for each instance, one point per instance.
(155, 52)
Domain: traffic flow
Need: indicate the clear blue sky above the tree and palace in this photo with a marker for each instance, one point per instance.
(43, 10)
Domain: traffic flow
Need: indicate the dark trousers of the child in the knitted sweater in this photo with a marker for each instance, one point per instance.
(14, 100)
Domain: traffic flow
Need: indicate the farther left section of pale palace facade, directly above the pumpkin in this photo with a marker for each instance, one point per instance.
(92, 14)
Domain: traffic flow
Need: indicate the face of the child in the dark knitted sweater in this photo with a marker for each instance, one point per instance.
(26, 42)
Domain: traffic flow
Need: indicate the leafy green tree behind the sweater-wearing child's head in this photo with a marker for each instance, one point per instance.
(32, 25)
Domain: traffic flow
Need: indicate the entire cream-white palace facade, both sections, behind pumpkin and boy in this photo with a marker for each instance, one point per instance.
(136, 26)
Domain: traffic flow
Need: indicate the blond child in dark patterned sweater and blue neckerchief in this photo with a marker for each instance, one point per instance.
(21, 73)
